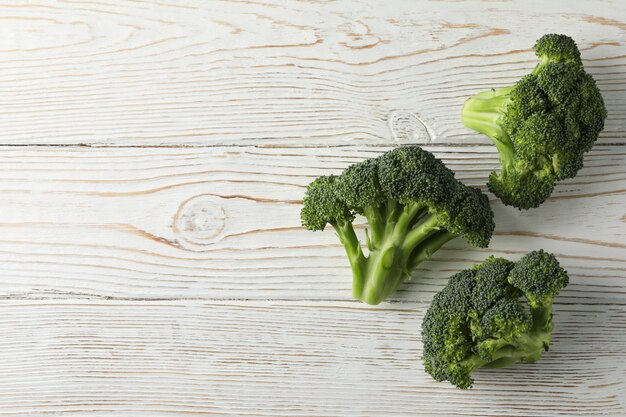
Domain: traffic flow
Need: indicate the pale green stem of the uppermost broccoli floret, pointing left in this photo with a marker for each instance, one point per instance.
(482, 112)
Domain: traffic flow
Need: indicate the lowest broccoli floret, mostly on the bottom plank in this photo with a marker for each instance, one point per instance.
(479, 321)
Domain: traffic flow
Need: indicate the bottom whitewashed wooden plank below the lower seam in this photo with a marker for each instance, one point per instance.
(284, 359)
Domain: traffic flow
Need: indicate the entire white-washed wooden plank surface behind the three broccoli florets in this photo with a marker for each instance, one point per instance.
(153, 159)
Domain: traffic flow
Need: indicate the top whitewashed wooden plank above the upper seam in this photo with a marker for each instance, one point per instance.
(280, 72)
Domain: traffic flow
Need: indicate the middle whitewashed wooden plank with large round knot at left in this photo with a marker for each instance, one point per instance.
(223, 223)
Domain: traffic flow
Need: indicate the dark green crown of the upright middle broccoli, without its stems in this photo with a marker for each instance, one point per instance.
(410, 176)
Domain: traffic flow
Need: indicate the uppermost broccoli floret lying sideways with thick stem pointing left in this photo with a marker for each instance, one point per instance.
(542, 125)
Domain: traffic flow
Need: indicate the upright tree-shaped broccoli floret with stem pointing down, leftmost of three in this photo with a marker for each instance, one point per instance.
(413, 205)
